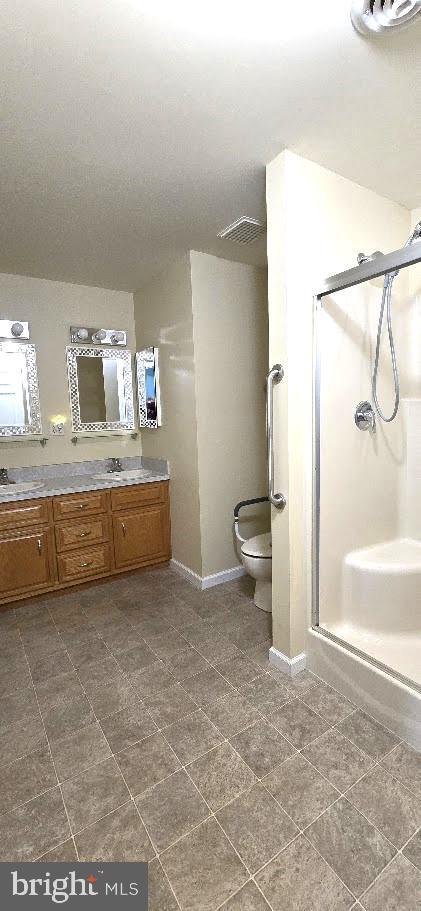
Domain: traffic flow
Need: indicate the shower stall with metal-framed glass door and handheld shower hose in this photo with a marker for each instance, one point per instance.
(367, 478)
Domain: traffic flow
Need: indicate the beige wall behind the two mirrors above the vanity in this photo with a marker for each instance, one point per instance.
(51, 308)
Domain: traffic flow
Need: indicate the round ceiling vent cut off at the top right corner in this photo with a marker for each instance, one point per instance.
(375, 17)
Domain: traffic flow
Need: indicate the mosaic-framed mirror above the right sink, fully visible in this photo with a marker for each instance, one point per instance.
(101, 389)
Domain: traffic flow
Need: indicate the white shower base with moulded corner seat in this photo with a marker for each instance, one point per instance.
(381, 605)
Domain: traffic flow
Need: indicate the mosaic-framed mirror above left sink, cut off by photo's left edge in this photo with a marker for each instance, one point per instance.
(20, 413)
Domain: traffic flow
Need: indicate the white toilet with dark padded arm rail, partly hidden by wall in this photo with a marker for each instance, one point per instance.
(256, 557)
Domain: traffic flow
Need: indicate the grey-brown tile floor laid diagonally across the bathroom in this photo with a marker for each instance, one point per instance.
(140, 720)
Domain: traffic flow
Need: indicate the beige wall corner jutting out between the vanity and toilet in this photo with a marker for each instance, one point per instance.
(209, 318)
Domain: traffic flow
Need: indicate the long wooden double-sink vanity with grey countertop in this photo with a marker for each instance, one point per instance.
(104, 527)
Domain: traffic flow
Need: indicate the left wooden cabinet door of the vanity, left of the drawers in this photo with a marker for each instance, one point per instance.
(26, 562)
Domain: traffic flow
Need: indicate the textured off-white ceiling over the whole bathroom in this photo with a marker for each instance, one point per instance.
(130, 134)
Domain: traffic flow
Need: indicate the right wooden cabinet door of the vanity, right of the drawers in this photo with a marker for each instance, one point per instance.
(141, 536)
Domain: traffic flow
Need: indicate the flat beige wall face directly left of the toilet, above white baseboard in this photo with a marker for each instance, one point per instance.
(231, 352)
